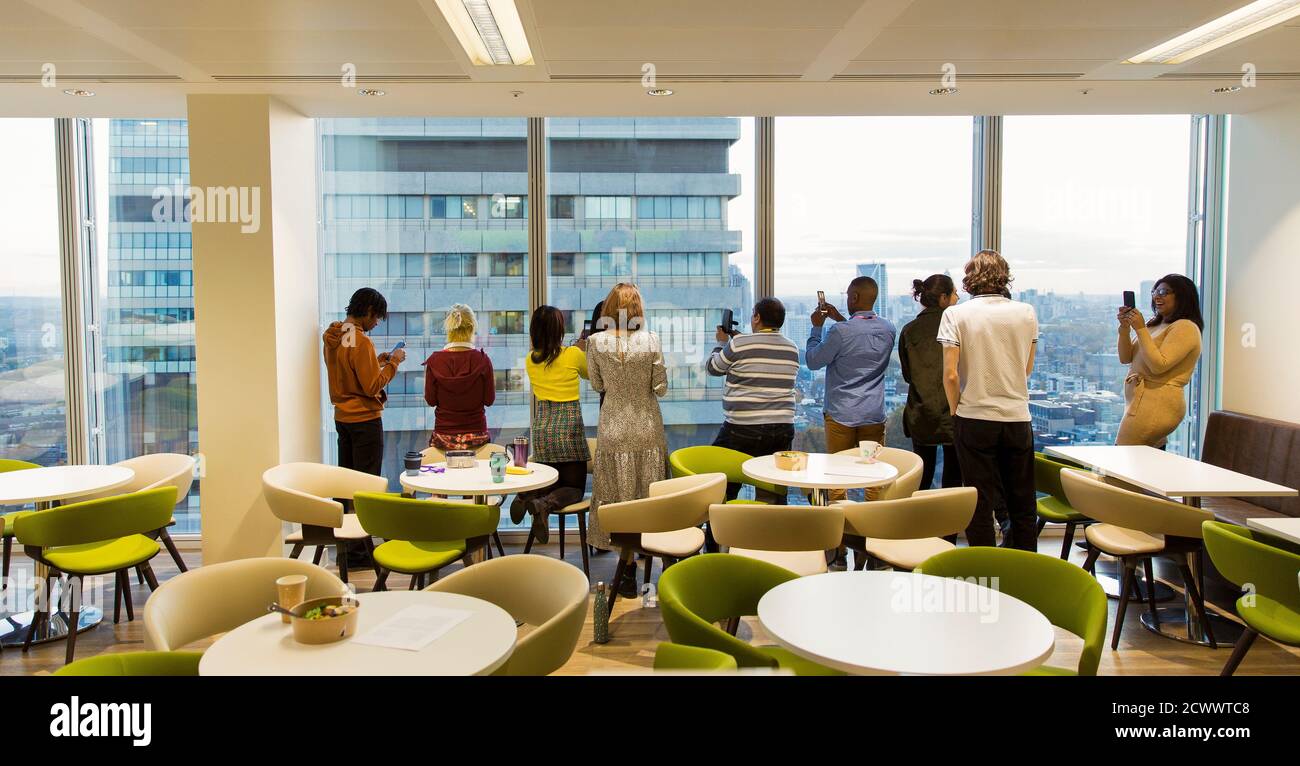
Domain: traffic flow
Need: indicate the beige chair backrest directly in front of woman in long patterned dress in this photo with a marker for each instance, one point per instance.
(674, 504)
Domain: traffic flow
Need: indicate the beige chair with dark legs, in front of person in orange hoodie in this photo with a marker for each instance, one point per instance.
(307, 495)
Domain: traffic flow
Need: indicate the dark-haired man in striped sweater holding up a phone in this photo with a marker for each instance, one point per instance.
(759, 400)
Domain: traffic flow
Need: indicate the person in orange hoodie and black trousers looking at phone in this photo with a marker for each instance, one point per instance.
(357, 382)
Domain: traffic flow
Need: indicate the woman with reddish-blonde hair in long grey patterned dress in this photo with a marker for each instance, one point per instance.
(626, 363)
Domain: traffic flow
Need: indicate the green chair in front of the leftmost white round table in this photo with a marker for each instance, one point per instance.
(97, 538)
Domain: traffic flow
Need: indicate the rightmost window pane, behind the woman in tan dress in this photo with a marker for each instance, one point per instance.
(1093, 206)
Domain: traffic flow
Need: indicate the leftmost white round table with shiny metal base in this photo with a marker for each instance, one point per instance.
(44, 487)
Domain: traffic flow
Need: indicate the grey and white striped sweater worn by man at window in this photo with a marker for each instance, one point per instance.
(760, 370)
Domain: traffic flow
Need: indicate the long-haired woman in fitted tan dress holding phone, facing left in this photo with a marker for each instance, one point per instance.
(1162, 356)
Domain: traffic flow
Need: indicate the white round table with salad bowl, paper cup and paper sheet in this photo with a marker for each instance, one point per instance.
(478, 646)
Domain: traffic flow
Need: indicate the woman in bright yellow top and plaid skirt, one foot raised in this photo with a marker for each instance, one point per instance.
(560, 438)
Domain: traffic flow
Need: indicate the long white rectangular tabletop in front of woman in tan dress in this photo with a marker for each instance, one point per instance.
(1168, 474)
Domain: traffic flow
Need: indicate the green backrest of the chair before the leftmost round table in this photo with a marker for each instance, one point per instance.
(99, 520)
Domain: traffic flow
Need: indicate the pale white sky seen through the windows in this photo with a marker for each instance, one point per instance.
(1093, 205)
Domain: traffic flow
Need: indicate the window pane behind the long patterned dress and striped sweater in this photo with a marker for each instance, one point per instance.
(668, 205)
